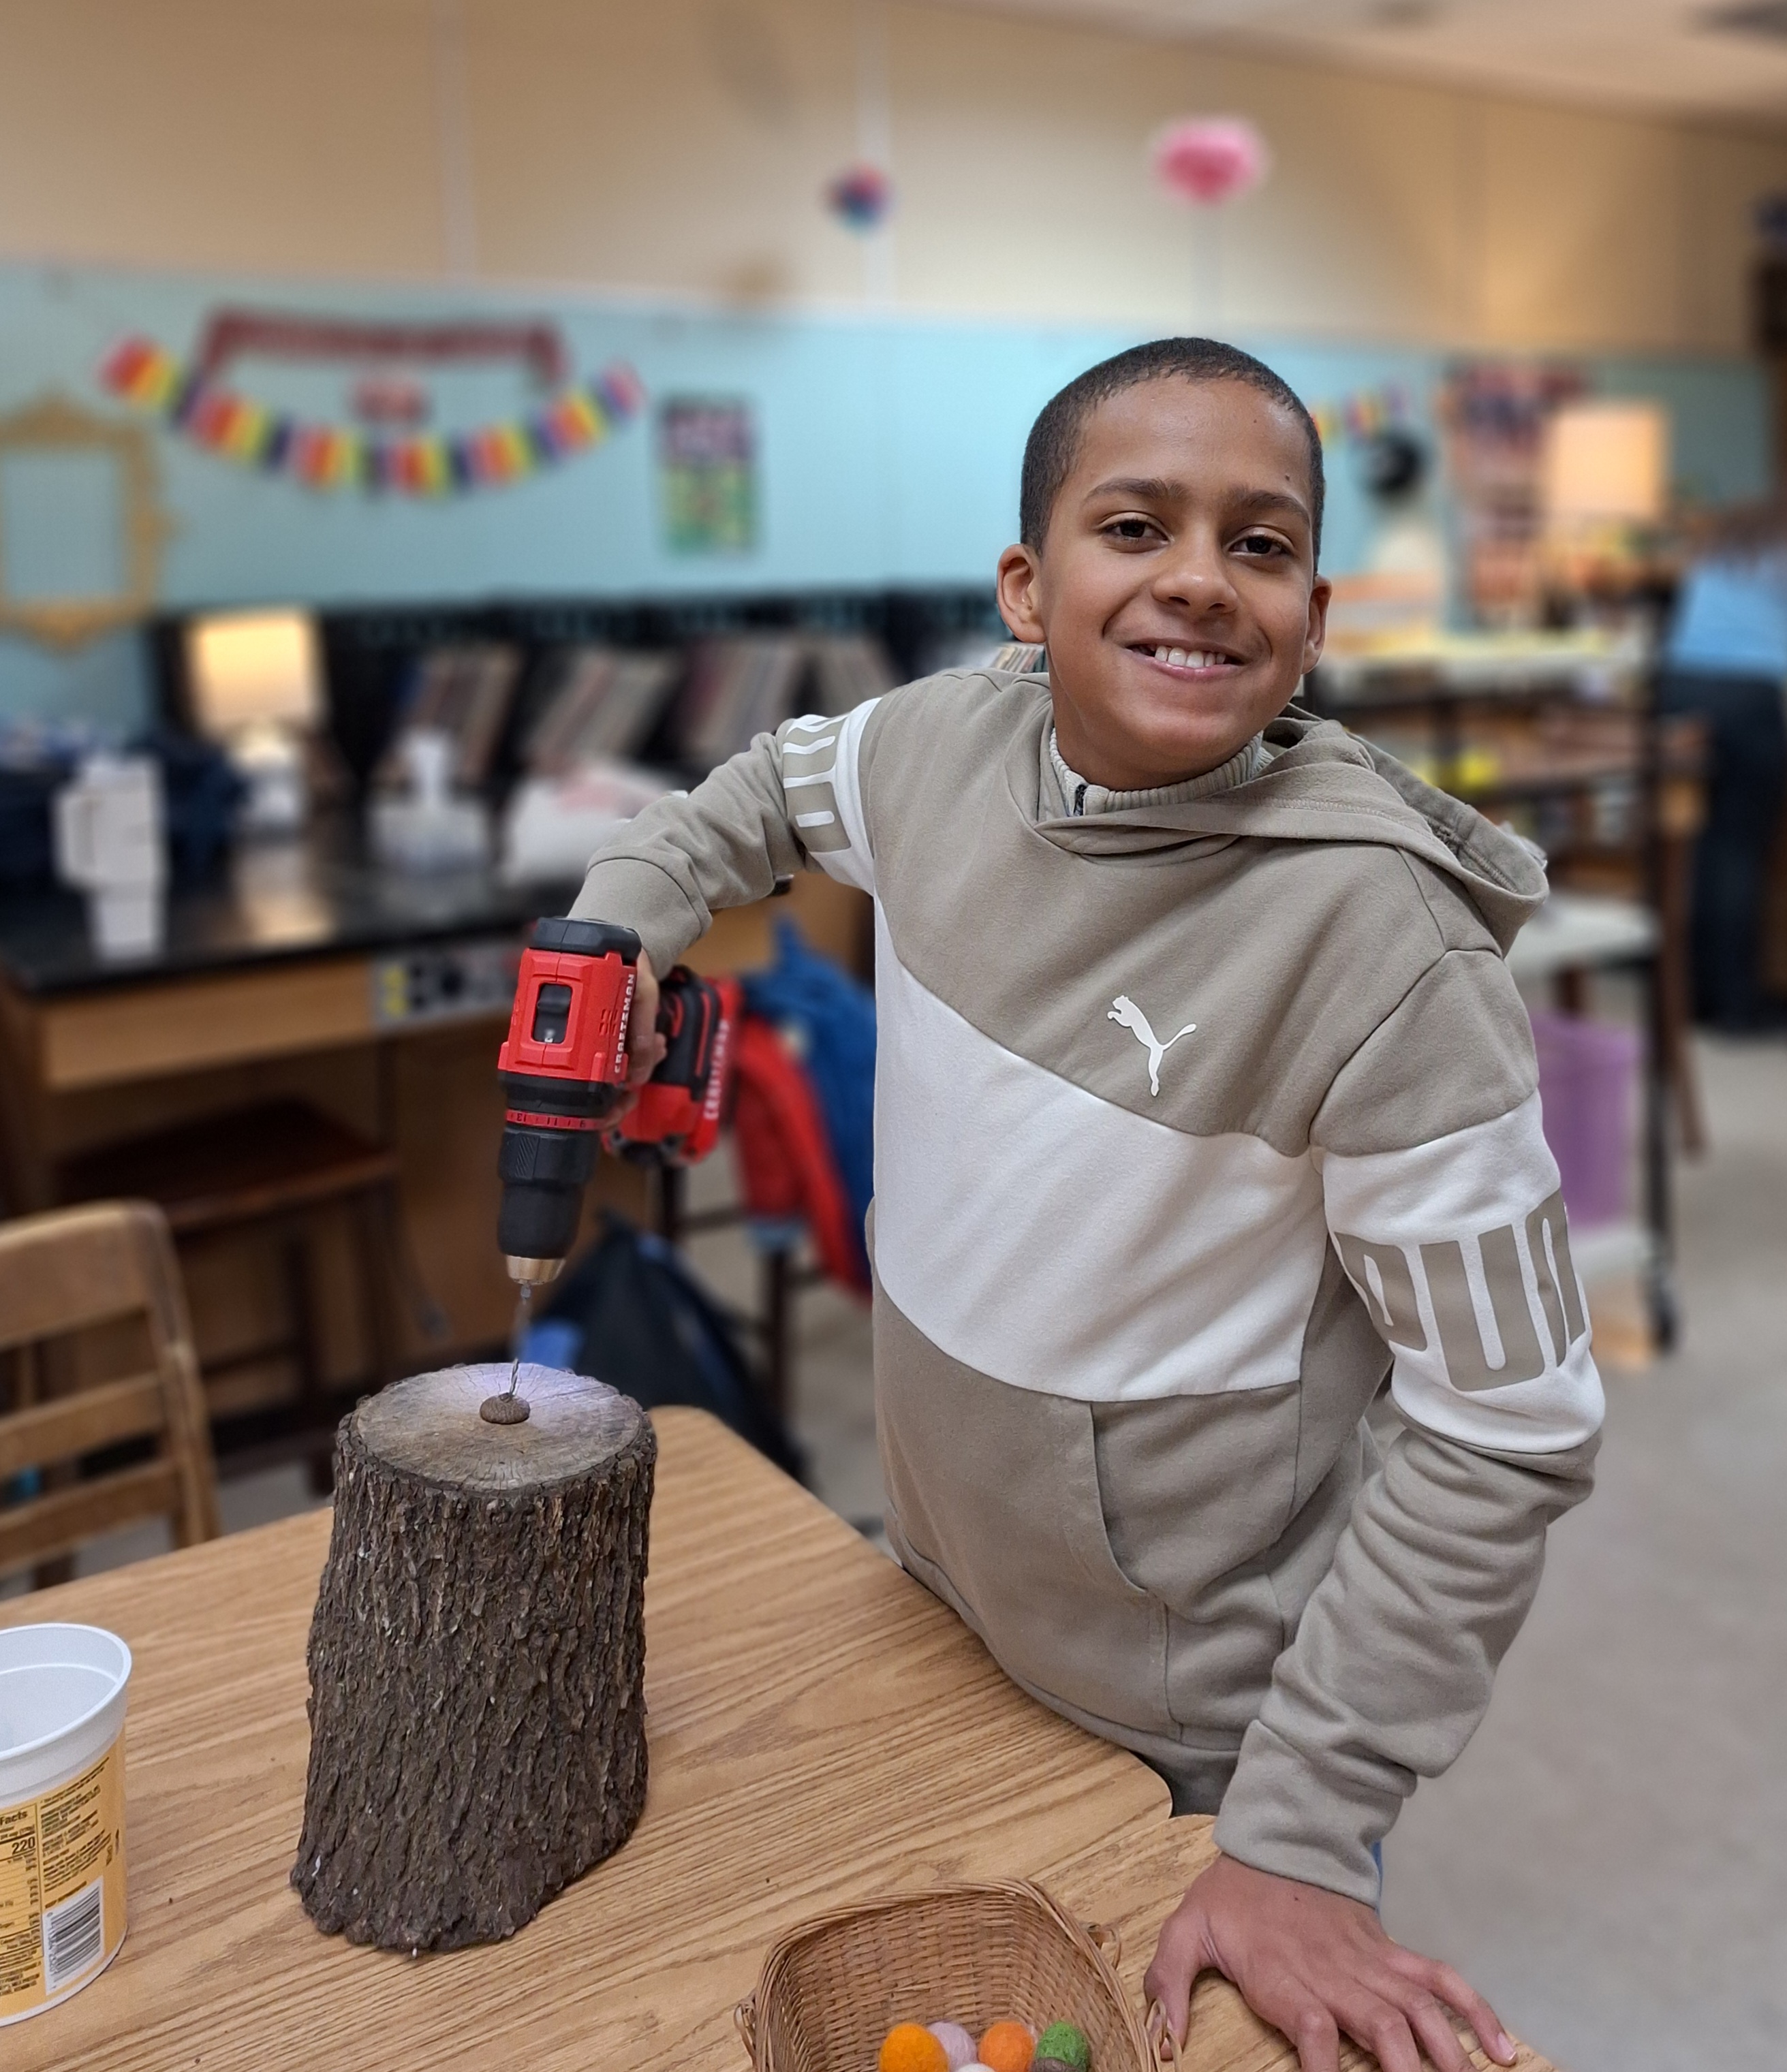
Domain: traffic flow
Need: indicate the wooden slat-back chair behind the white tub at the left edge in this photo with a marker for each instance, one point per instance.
(65, 1273)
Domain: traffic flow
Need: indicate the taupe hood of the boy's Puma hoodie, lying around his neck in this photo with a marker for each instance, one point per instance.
(1322, 784)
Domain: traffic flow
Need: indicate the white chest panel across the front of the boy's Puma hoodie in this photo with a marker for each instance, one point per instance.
(1069, 1246)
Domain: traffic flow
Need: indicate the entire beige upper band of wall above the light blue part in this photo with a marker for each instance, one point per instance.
(683, 146)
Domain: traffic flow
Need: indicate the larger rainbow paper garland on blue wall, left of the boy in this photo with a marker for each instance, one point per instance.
(343, 457)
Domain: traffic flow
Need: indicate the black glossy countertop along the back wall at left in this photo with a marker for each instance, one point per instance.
(273, 902)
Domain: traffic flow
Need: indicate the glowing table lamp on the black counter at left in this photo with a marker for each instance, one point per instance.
(256, 685)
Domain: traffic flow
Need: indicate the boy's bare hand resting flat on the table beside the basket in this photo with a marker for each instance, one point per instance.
(1317, 1967)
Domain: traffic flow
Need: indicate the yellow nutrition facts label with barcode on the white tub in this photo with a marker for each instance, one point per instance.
(61, 1884)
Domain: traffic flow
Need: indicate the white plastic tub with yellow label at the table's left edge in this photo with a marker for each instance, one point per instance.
(61, 1812)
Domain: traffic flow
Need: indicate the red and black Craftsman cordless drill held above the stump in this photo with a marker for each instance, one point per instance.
(565, 1074)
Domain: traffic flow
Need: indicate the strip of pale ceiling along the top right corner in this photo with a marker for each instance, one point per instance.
(1705, 57)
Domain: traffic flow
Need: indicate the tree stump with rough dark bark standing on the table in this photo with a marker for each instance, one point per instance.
(478, 1659)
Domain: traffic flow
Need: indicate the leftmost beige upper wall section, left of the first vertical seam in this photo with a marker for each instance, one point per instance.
(221, 134)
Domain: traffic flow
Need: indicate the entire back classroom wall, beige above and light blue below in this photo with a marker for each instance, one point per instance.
(650, 179)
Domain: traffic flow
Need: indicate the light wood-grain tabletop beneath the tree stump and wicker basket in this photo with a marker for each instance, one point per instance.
(822, 1731)
